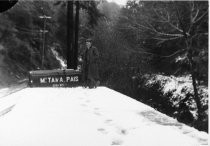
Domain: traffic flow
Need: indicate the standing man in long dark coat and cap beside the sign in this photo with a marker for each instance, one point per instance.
(90, 57)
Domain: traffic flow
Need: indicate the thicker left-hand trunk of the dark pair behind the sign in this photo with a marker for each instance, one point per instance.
(70, 35)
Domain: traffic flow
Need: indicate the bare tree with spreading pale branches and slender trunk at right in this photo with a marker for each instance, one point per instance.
(185, 22)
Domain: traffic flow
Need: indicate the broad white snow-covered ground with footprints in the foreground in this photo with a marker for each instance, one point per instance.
(89, 117)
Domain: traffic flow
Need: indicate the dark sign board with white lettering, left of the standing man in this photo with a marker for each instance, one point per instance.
(55, 78)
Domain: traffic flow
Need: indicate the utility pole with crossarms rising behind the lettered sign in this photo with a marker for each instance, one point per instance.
(44, 17)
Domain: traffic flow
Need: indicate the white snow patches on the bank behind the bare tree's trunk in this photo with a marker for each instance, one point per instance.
(179, 87)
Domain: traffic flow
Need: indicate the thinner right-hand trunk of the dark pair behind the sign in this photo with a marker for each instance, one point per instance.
(76, 35)
